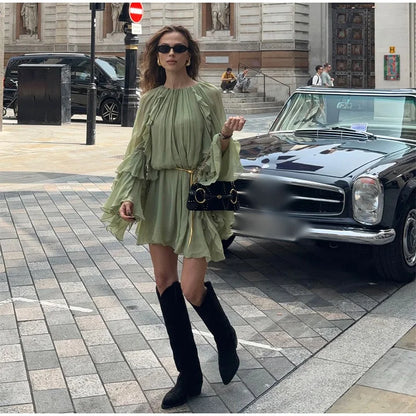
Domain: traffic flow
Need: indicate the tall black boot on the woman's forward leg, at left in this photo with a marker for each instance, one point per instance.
(184, 350)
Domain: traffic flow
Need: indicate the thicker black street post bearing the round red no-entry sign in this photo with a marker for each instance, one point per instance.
(131, 42)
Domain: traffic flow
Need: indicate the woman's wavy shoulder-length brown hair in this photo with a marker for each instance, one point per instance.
(154, 75)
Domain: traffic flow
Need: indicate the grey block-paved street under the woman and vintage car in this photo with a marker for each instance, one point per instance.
(80, 325)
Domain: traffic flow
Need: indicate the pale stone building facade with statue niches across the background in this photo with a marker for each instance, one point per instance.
(283, 40)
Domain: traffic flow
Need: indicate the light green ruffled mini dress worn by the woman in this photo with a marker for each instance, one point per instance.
(174, 132)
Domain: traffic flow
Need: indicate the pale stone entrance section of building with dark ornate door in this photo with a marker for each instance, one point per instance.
(357, 38)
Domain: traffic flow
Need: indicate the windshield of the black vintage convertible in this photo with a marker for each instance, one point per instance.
(381, 115)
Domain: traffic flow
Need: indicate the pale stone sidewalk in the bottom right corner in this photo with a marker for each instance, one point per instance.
(370, 368)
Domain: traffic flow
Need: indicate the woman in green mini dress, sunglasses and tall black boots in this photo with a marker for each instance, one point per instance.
(180, 124)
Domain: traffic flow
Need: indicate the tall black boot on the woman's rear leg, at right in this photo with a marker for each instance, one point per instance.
(225, 337)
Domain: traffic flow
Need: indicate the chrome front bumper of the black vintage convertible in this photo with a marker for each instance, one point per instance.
(274, 227)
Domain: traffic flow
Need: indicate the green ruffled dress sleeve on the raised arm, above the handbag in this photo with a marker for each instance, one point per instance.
(217, 165)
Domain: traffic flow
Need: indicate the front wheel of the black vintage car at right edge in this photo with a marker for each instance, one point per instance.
(397, 260)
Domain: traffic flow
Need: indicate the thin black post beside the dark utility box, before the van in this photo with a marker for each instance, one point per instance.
(92, 88)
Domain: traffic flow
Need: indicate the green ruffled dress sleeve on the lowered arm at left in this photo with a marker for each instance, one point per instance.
(130, 183)
